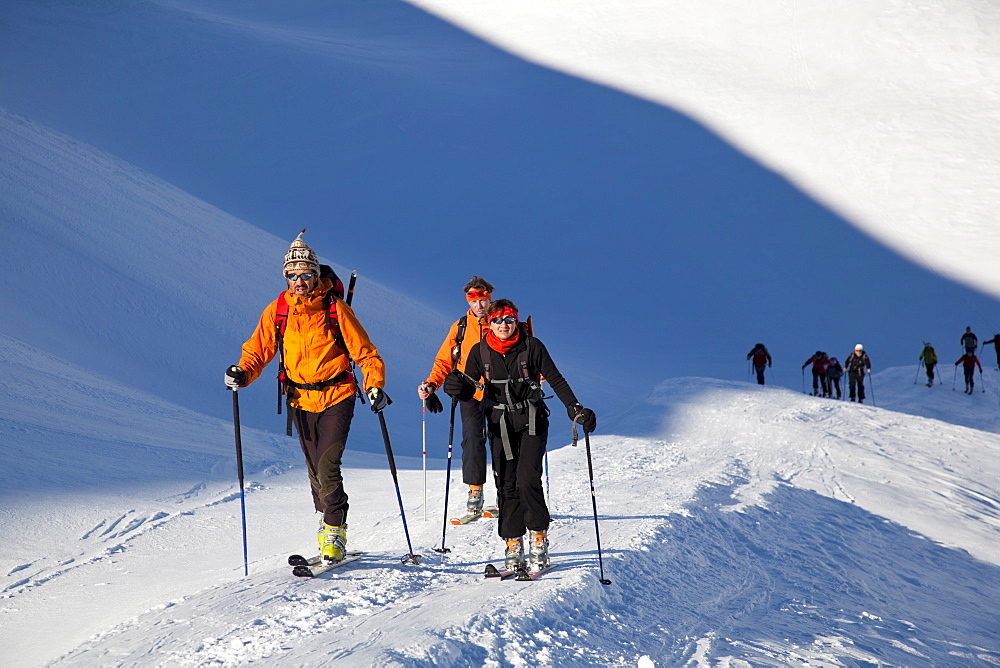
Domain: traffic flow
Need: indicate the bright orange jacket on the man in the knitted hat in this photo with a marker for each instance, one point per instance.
(311, 353)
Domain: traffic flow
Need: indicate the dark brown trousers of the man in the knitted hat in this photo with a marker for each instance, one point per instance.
(323, 437)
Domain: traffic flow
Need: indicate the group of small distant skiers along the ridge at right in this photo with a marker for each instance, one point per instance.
(827, 371)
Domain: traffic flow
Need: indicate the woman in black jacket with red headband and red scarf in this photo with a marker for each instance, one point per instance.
(509, 365)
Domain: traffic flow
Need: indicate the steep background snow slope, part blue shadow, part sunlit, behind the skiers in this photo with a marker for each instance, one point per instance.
(694, 210)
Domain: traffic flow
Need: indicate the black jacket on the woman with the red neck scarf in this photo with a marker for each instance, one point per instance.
(503, 367)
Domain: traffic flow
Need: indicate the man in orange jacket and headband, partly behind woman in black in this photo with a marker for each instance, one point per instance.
(465, 332)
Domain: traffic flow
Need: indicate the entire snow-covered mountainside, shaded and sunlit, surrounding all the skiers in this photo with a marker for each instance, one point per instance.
(740, 525)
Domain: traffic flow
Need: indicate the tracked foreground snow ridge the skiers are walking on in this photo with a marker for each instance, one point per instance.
(744, 523)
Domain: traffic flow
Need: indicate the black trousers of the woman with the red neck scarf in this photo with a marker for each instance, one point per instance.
(519, 481)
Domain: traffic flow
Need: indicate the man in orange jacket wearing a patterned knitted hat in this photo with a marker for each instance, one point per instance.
(315, 351)
